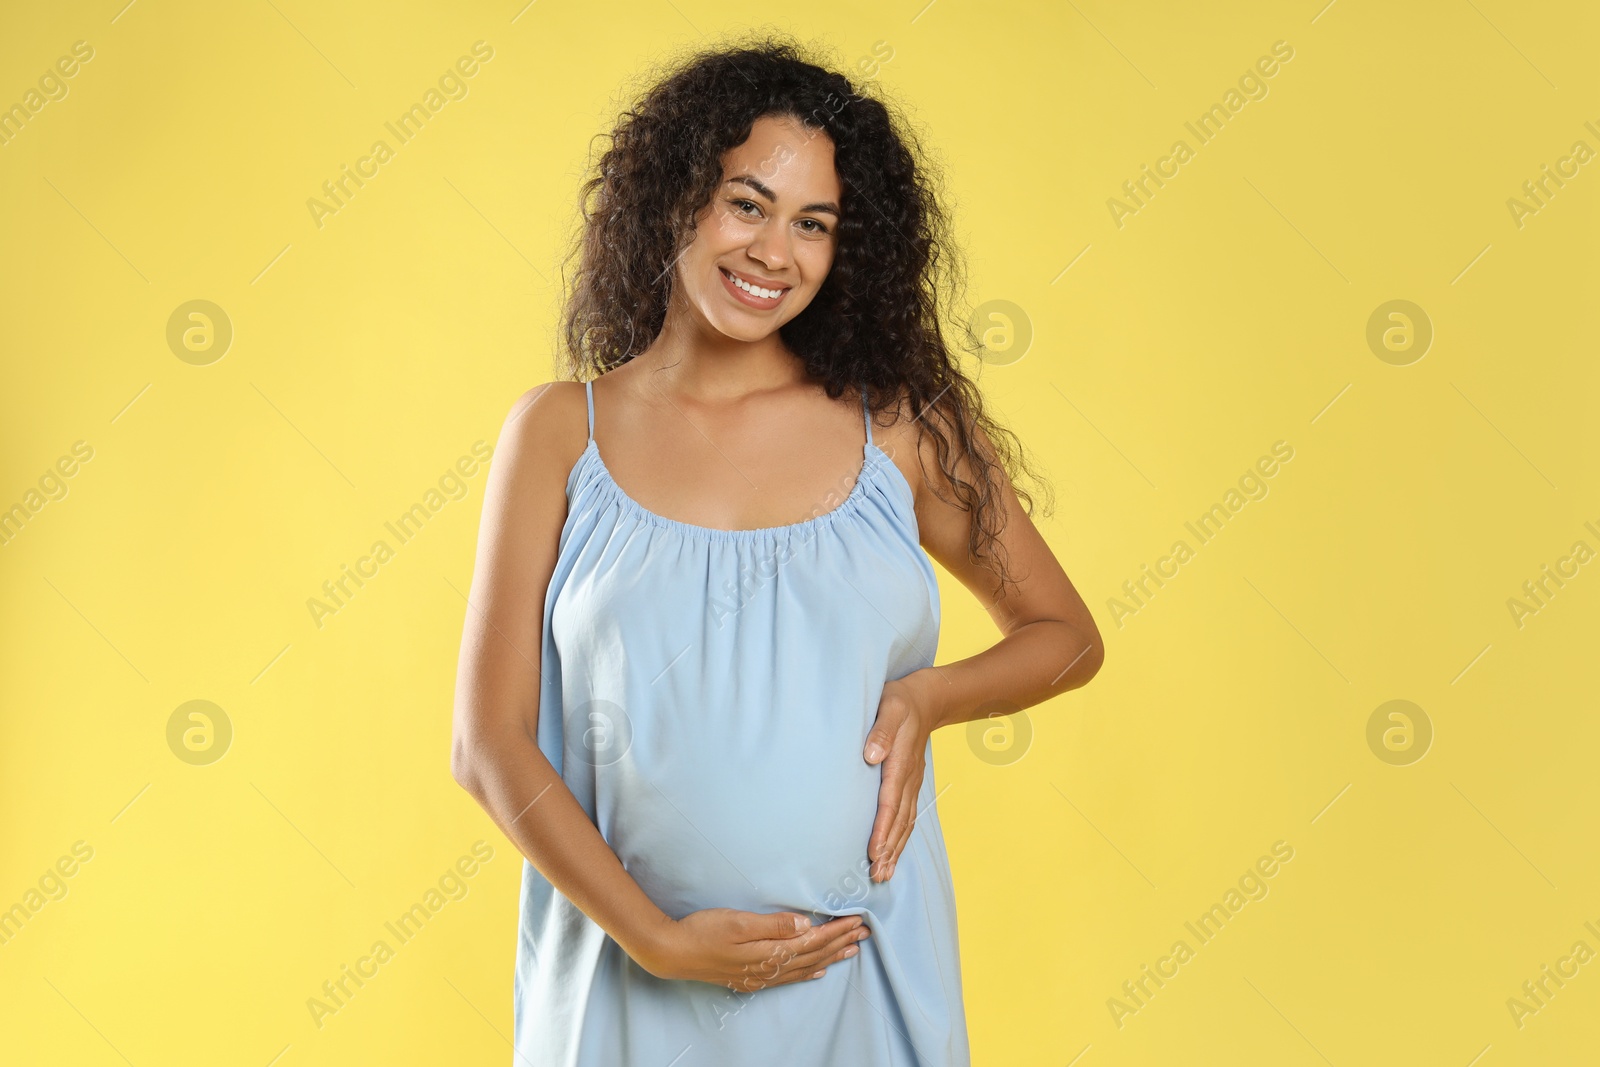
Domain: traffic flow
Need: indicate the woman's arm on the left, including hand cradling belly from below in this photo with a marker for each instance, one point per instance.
(495, 753)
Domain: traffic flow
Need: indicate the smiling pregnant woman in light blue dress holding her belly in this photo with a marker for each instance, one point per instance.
(697, 681)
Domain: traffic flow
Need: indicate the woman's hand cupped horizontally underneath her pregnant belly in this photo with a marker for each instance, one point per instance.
(750, 951)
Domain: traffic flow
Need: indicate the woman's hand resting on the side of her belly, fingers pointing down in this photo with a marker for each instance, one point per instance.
(900, 741)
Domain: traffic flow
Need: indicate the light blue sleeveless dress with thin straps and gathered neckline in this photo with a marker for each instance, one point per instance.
(706, 695)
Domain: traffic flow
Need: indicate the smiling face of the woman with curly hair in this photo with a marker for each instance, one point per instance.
(772, 225)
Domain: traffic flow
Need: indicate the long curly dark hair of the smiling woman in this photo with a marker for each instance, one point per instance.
(876, 322)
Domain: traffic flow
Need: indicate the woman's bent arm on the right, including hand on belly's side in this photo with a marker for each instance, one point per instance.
(1050, 645)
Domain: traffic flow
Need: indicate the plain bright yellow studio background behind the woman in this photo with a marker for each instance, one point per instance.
(1226, 314)
